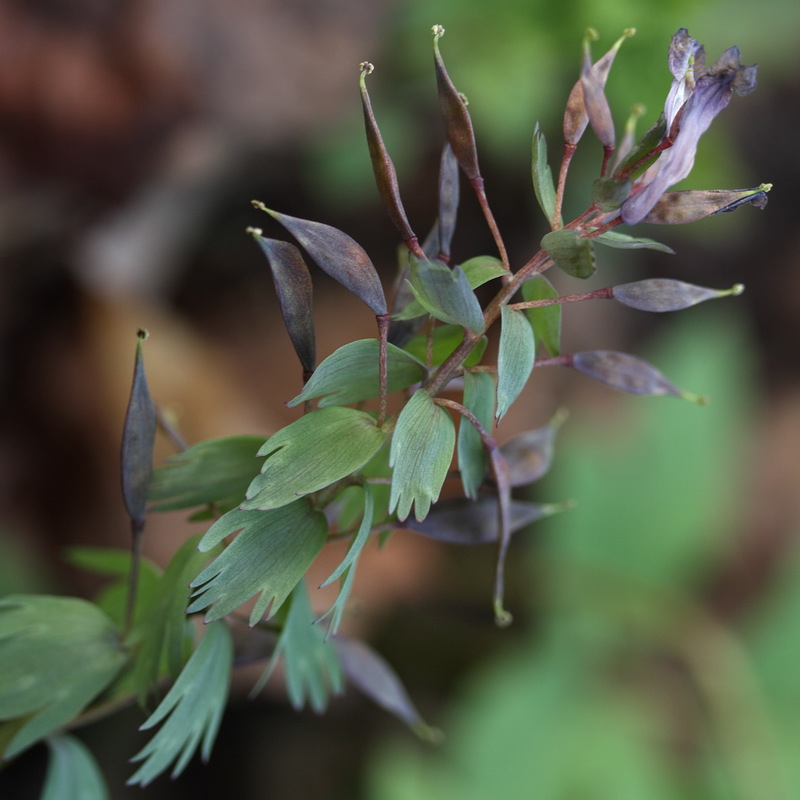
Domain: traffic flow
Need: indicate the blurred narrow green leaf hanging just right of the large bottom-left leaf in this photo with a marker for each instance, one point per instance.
(164, 630)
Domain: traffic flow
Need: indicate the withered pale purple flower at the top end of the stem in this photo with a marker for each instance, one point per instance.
(696, 96)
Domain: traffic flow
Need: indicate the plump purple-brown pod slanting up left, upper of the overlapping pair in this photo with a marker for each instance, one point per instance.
(344, 259)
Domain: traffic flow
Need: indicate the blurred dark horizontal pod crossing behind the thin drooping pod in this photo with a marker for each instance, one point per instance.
(457, 520)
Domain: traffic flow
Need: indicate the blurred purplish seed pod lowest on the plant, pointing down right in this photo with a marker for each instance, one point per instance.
(370, 673)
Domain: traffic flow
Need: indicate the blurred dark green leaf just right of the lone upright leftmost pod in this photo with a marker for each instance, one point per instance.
(217, 471)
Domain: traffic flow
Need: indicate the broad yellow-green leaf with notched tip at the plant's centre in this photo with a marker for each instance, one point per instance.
(313, 452)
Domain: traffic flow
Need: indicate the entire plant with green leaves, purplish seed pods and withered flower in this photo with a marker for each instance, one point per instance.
(344, 472)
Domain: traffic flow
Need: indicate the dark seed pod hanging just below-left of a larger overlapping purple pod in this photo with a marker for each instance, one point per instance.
(295, 293)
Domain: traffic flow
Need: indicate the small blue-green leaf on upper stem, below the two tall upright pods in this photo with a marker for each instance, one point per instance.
(446, 294)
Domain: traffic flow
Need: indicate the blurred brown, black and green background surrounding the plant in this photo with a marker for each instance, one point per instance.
(655, 651)
